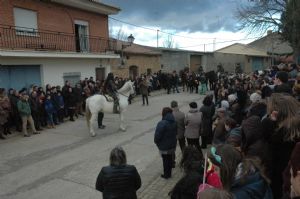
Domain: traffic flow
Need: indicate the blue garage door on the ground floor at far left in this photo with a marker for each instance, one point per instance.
(17, 76)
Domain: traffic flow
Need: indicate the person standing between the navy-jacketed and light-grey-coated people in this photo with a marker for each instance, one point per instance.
(179, 118)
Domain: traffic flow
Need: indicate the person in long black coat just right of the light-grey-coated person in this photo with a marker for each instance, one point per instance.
(208, 111)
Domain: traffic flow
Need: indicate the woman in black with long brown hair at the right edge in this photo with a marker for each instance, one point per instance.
(284, 117)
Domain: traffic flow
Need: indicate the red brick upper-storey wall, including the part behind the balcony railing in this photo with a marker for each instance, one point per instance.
(56, 18)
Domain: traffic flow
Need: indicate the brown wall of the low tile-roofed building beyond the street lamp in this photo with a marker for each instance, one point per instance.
(143, 62)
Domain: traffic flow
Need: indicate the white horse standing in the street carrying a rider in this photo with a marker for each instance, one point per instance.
(98, 103)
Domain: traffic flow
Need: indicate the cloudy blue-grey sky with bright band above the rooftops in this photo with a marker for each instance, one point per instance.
(200, 25)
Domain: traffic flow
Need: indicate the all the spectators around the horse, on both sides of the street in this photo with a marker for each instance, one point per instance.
(249, 125)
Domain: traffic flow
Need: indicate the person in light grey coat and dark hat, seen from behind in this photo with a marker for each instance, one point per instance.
(193, 120)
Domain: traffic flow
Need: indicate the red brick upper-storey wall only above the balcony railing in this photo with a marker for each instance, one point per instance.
(55, 17)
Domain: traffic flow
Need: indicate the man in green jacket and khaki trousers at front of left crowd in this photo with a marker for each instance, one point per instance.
(25, 113)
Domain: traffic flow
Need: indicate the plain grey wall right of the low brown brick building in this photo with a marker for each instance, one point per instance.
(175, 60)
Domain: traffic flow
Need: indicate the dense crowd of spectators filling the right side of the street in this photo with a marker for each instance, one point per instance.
(253, 126)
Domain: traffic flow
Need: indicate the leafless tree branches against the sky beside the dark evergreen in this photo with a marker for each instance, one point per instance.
(259, 16)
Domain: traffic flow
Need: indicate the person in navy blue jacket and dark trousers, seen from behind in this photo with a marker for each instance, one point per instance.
(165, 140)
